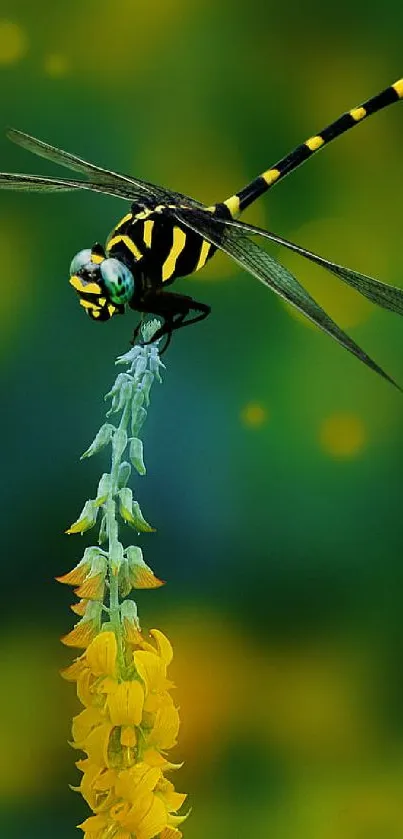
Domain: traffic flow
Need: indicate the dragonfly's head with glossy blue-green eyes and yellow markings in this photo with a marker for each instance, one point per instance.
(103, 284)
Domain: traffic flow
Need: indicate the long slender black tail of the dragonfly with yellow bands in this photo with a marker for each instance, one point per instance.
(238, 202)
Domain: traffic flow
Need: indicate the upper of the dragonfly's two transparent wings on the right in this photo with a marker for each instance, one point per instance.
(387, 296)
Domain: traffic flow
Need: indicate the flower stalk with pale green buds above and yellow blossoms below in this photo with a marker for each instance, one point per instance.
(129, 720)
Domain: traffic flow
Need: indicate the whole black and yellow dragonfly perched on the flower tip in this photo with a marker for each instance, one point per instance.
(166, 235)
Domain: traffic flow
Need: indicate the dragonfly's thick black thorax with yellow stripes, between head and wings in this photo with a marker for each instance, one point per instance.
(160, 249)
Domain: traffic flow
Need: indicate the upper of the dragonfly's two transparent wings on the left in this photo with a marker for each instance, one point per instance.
(133, 189)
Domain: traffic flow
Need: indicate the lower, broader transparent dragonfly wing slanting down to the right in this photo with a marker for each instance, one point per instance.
(233, 241)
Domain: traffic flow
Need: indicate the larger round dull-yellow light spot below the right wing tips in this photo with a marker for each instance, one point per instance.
(342, 435)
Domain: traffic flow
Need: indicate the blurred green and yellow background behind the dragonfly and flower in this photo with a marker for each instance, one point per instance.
(274, 458)
